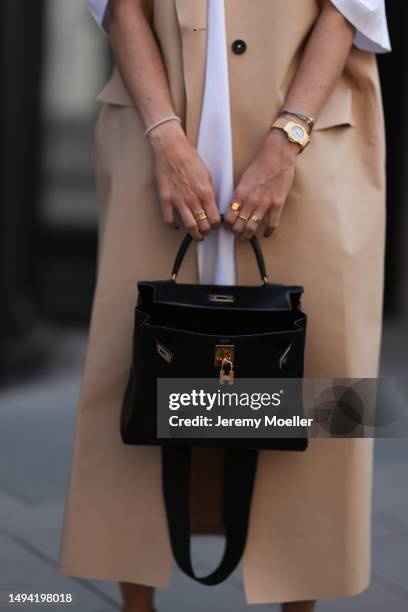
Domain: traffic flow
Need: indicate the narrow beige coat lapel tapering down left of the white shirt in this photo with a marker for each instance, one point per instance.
(192, 18)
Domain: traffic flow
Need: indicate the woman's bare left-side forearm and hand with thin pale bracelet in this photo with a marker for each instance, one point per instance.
(184, 182)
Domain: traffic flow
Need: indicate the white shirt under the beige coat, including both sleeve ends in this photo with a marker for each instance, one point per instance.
(216, 260)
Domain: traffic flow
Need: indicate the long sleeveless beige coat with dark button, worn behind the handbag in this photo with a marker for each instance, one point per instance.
(310, 519)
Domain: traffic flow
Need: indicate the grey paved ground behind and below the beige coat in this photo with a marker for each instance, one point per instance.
(36, 428)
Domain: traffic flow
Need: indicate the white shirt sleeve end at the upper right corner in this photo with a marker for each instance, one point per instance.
(370, 21)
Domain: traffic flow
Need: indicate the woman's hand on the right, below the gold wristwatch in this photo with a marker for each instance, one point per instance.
(264, 186)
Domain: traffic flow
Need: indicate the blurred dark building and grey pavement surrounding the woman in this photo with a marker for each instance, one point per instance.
(54, 62)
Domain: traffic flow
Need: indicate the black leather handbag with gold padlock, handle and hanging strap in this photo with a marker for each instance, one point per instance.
(224, 327)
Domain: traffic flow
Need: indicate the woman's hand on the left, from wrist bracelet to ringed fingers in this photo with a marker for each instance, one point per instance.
(184, 182)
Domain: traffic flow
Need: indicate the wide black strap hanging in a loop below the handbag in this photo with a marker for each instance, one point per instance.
(240, 469)
